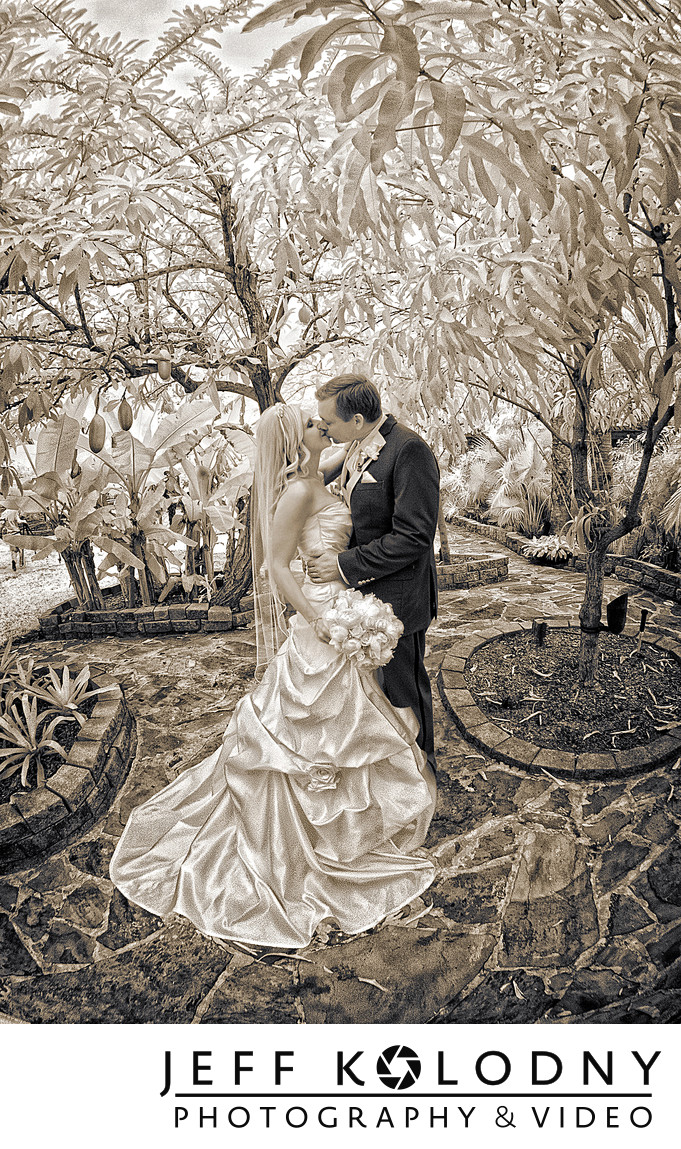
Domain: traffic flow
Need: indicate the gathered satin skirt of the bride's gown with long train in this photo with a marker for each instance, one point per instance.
(308, 812)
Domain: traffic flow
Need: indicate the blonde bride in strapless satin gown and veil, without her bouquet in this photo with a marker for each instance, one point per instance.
(314, 807)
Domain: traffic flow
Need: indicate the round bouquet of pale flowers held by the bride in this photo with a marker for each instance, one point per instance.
(363, 629)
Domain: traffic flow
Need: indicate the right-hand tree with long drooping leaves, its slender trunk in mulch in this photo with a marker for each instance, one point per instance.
(541, 142)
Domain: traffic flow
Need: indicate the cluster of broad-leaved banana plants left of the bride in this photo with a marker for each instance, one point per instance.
(114, 500)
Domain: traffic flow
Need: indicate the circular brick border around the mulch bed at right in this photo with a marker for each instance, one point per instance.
(499, 744)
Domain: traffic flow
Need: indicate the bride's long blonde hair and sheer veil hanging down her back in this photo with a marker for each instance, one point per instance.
(281, 456)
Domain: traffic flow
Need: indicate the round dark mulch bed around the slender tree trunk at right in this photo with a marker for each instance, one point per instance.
(531, 691)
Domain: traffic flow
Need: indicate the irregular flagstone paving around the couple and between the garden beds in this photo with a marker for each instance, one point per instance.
(556, 901)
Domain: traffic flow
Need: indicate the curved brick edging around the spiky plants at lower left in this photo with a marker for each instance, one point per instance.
(36, 823)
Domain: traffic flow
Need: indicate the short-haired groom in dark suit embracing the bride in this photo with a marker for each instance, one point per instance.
(392, 485)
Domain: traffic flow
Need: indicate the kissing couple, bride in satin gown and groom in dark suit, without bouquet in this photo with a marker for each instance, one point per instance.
(318, 803)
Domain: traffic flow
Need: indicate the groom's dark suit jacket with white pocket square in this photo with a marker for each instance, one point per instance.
(394, 522)
